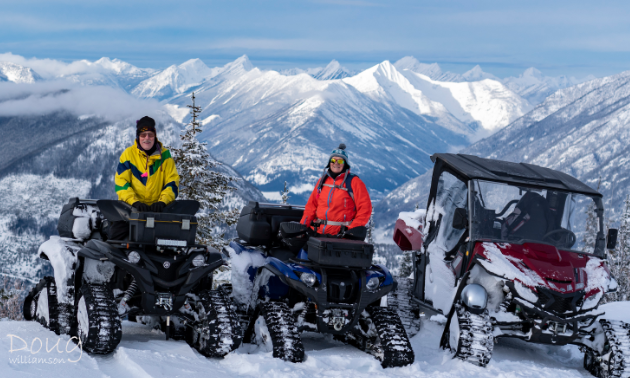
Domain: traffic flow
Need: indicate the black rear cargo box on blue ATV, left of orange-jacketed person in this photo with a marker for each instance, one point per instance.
(259, 223)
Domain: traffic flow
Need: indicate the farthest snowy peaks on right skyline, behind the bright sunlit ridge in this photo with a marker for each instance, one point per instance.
(531, 84)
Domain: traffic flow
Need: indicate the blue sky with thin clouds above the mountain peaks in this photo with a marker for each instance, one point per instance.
(558, 37)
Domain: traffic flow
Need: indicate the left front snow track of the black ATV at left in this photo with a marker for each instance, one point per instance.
(98, 322)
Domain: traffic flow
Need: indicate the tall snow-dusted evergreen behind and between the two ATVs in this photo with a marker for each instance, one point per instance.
(200, 181)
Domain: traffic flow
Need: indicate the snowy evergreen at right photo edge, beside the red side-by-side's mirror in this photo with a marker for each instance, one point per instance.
(619, 259)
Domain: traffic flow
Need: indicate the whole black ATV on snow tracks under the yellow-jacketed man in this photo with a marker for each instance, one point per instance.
(157, 276)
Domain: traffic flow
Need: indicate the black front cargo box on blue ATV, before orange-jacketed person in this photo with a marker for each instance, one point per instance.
(340, 252)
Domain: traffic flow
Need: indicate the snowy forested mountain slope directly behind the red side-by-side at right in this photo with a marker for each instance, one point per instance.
(580, 130)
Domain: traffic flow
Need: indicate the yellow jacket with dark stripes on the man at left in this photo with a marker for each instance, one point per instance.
(147, 179)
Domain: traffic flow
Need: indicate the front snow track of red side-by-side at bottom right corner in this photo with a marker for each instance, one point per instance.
(615, 361)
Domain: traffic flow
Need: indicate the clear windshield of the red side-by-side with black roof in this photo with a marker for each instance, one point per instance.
(517, 214)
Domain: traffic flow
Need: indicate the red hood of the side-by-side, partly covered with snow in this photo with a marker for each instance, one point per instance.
(535, 265)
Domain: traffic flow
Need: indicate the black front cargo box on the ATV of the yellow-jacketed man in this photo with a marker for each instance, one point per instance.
(148, 227)
